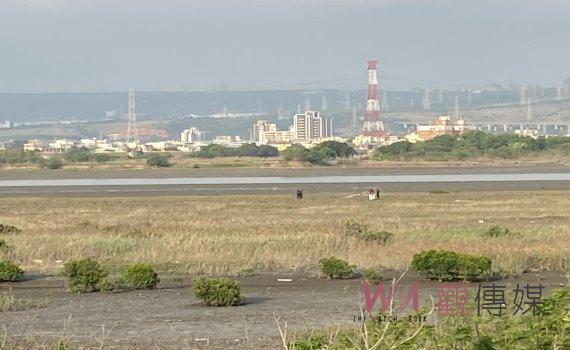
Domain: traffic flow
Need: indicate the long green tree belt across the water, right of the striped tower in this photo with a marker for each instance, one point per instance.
(473, 144)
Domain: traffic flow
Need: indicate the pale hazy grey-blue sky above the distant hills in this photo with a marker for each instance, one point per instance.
(110, 45)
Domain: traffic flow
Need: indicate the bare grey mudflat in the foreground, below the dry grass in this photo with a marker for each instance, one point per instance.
(171, 318)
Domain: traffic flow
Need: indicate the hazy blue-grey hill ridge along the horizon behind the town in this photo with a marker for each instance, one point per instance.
(20, 107)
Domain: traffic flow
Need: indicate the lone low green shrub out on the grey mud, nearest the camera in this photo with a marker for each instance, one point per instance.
(218, 291)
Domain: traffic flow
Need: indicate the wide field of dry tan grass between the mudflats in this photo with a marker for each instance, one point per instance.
(240, 234)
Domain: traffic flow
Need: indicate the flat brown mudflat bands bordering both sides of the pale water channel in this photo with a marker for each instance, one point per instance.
(220, 189)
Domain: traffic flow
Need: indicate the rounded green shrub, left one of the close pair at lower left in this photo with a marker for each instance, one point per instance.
(83, 276)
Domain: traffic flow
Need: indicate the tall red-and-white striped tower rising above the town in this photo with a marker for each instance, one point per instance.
(373, 125)
